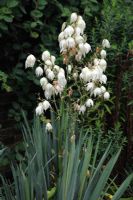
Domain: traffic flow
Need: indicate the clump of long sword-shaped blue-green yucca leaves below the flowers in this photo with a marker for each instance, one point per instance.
(66, 172)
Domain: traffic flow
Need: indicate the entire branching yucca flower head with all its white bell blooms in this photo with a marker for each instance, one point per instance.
(82, 81)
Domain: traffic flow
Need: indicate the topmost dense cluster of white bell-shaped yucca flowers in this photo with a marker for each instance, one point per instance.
(72, 40)
